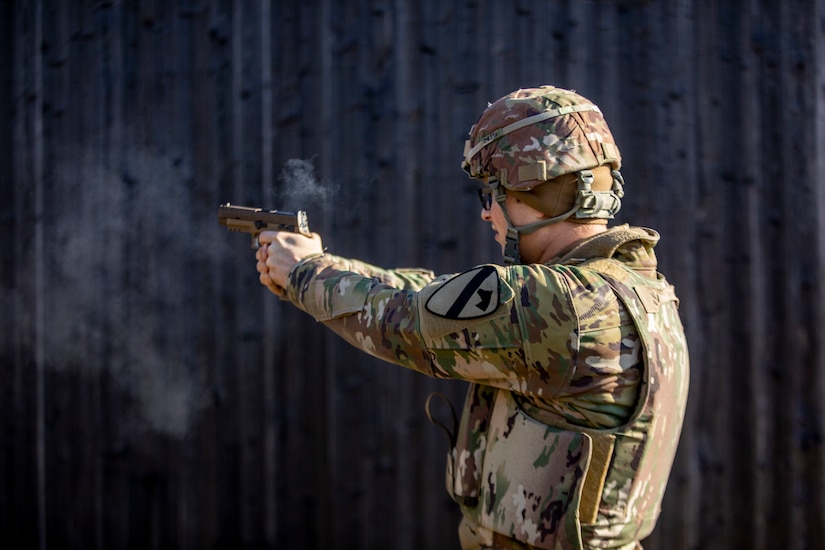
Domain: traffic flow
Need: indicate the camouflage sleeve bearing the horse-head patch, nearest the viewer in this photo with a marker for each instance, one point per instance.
(471, 326)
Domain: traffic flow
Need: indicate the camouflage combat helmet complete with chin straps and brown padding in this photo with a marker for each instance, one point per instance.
(551, 149)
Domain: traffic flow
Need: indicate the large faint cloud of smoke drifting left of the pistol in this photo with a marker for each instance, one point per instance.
(123, 263)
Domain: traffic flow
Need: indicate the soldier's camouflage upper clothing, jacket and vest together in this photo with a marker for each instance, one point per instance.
(579, 373)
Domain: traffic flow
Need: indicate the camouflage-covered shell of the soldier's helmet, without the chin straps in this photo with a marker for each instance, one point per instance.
(538, 134)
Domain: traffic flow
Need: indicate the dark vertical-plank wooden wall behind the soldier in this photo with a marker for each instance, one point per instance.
(153, 395)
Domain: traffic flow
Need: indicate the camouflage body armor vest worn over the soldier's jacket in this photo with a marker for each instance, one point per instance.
(524, 472)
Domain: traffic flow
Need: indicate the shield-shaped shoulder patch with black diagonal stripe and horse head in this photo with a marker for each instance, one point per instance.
(471, 294)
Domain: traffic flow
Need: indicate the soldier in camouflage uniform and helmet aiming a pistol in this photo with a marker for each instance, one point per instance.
(574, 349)
